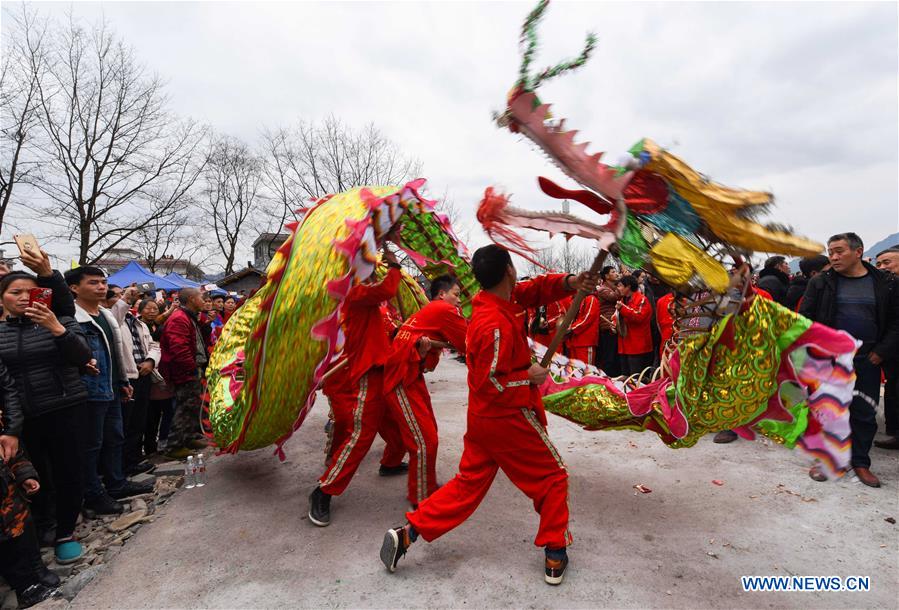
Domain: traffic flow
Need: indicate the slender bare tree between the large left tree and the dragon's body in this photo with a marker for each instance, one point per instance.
(233, 181)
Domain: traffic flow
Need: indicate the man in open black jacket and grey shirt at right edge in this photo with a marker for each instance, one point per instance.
(855, 297)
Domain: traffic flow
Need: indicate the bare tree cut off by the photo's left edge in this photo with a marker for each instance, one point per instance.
(24, 62)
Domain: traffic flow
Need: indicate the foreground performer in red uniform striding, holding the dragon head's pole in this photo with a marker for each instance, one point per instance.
(506, 420)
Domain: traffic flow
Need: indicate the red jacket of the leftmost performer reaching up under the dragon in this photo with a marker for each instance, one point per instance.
(367, 344)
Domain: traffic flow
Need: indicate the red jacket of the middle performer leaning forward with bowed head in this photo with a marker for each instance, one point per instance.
(437, 320)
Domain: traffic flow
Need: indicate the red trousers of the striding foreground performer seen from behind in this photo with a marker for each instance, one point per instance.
(520, 446)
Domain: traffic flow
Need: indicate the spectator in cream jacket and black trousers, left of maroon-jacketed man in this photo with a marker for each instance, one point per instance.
(144, 351)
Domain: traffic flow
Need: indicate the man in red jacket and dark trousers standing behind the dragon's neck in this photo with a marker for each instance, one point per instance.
(634, 335)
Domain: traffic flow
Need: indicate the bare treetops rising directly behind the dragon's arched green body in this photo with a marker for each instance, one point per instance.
(311, 160)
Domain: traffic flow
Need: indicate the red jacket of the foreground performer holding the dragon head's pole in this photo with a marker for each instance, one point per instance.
(498, 353)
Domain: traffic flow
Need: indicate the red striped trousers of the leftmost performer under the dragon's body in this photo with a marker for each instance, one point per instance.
(359, 413)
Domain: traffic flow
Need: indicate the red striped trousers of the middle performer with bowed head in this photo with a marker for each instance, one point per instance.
(410, 405)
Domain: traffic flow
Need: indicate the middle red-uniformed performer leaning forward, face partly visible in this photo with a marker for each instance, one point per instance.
(405, 389)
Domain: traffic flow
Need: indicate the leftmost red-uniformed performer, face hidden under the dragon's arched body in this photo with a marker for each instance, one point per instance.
(357, 401)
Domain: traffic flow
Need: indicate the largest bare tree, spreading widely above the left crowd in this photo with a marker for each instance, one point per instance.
(117, 157)
